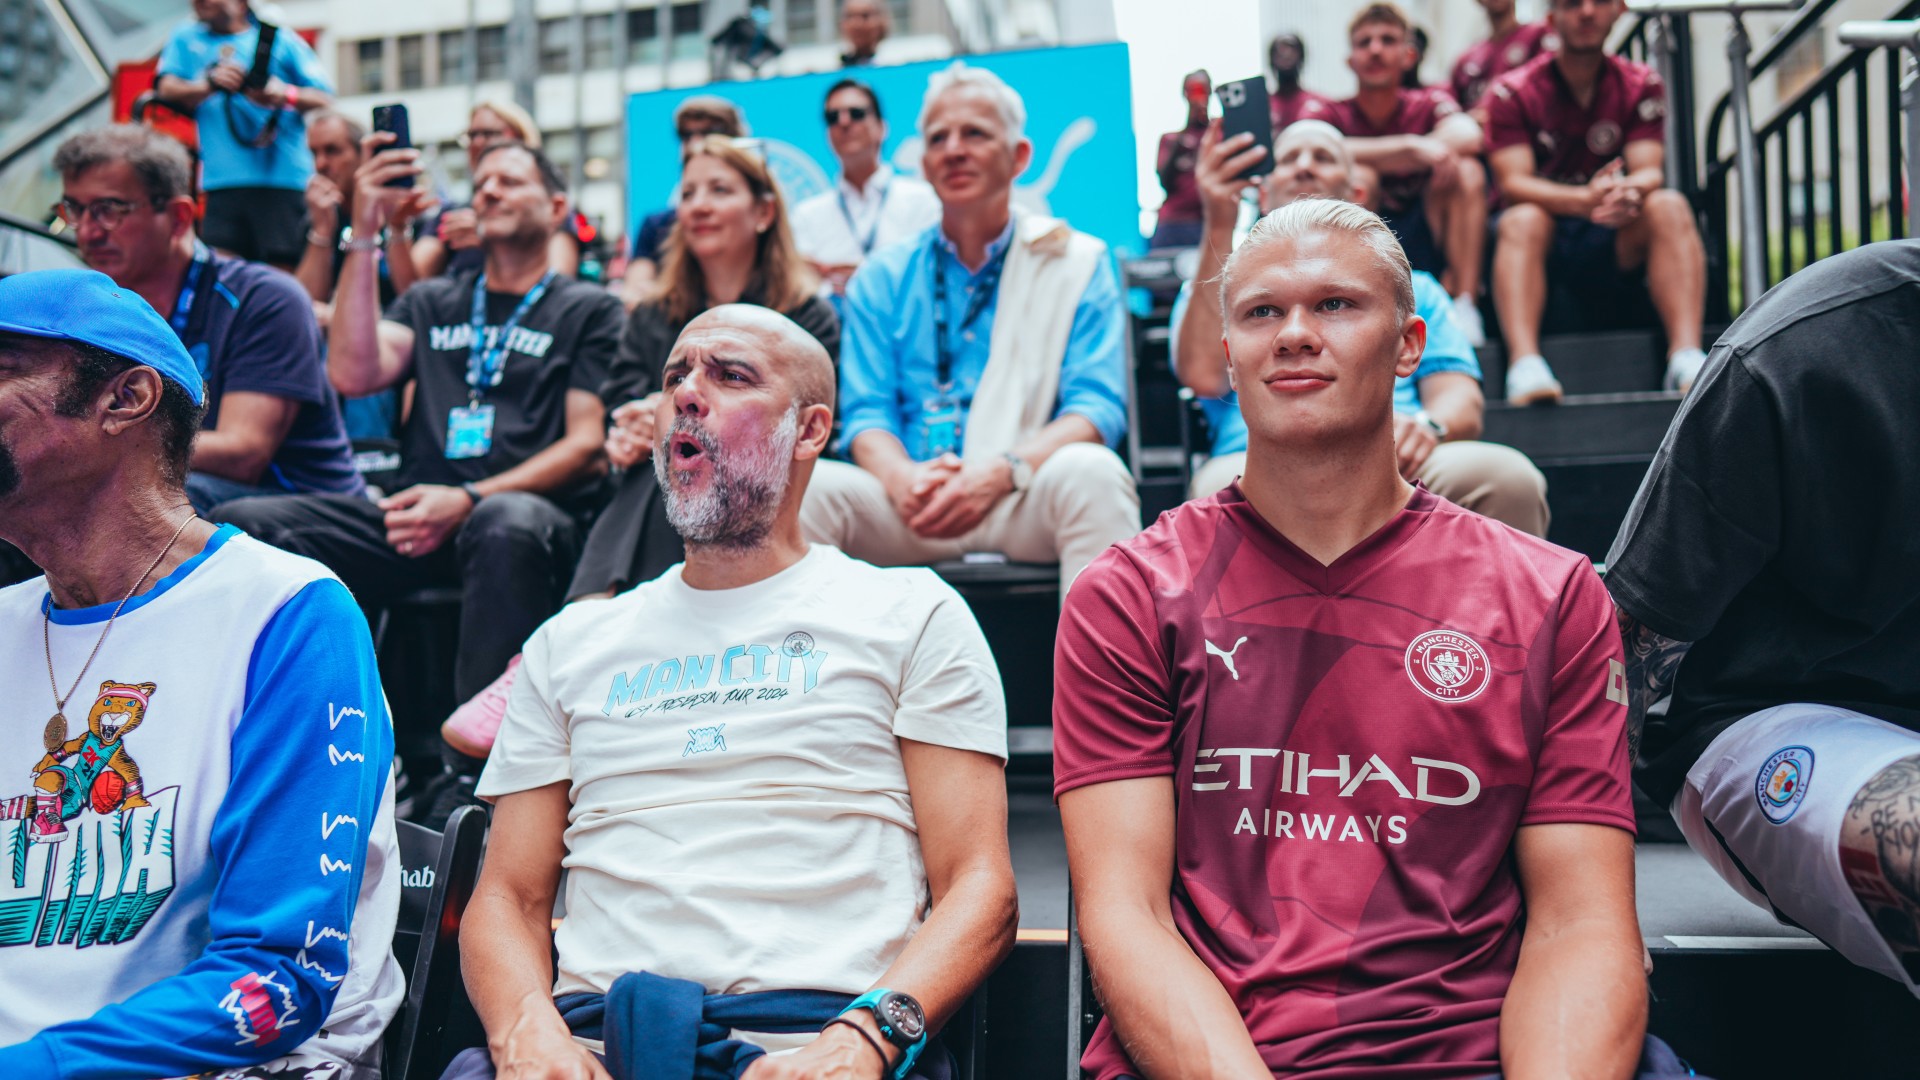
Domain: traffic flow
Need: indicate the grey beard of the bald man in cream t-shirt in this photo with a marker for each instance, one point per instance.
(738, 508)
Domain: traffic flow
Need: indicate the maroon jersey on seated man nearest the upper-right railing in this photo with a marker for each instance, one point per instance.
(1535, 107)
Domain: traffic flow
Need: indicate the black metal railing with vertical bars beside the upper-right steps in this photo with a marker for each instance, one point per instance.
(1808, 135)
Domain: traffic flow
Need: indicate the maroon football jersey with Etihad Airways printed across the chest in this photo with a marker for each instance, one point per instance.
(1353, 750)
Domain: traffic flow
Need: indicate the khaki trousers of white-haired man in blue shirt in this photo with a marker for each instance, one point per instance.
(1082, 501)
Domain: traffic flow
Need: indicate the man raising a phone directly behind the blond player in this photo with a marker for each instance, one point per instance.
(1437, 410)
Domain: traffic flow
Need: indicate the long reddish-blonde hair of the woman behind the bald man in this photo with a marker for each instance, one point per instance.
(780, 276)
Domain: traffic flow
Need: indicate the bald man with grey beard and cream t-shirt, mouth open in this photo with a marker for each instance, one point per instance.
(696, 902)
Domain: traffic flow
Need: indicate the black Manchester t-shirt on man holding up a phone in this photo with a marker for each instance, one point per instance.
(565, 343)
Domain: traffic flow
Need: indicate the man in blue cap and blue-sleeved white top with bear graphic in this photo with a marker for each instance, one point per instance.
(172, 908)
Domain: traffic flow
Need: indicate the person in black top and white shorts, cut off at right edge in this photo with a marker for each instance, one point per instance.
(1767, 579)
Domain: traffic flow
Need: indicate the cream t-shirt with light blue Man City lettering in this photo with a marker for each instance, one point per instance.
(740, 812)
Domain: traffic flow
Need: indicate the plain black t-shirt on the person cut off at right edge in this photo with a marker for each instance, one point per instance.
(1781, 524)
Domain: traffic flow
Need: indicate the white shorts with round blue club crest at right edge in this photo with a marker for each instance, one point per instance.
(1765, 806)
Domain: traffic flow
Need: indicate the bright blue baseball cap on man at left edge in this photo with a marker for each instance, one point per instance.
(85, 307)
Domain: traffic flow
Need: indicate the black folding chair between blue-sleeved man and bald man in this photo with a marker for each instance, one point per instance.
(439, 873)
